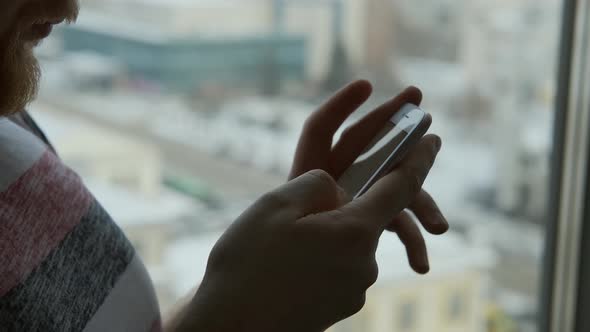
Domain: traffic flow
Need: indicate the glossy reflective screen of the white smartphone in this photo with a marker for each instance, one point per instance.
(381, 152)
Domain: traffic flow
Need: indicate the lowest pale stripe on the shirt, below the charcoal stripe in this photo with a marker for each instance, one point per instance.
(131, 306)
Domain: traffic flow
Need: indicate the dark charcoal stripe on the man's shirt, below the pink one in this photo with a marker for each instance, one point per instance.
(67, 289)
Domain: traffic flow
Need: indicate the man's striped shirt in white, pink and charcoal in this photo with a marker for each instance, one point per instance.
(65, 265)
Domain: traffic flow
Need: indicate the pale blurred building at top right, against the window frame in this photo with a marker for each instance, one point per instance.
(502, 41)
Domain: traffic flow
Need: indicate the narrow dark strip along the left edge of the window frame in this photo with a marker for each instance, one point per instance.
(556, 159)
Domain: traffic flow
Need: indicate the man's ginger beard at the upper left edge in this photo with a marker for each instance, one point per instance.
(19, 74)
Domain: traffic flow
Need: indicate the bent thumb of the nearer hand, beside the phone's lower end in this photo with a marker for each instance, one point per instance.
(313, 192)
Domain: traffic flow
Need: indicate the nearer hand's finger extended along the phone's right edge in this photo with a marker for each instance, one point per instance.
(395, 191)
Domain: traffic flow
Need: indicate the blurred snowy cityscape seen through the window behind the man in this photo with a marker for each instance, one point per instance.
(180, 113)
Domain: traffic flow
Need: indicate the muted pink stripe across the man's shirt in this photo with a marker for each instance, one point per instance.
(36, 213)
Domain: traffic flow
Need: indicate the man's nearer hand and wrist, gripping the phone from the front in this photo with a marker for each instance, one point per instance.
(302, 257)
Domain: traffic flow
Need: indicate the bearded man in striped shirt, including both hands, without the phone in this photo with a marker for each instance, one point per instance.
(299, 259)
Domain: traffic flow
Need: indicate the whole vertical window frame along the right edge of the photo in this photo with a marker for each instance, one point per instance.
(563, 296)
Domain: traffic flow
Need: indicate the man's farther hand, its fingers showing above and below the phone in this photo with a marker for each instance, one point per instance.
(317, 151)
